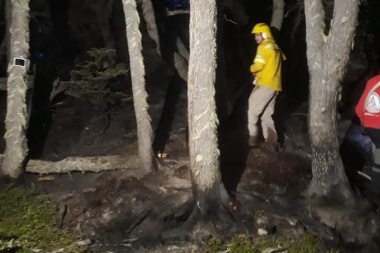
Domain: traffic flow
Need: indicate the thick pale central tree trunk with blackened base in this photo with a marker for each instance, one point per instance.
(202, 117)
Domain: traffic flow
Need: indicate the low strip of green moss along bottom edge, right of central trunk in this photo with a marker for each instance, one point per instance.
(246, 244)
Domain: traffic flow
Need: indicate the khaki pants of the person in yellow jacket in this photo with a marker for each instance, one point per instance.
(261, 103)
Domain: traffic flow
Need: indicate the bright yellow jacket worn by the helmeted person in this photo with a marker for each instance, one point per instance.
(267, 64)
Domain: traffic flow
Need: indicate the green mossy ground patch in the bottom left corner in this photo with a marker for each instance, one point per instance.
(28, 219)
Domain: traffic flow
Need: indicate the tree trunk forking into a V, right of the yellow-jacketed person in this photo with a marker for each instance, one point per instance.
(327, 56)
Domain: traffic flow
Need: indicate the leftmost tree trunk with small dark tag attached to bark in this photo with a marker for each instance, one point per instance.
(15, 121)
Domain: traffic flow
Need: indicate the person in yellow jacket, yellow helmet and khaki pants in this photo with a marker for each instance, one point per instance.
(266, 69)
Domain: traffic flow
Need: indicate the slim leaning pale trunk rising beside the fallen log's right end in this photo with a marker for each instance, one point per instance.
(144, 128)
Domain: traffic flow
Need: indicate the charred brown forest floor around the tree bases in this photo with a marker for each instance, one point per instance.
(127, 211)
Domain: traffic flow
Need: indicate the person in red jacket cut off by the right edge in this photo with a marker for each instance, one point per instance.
(368, 111)
